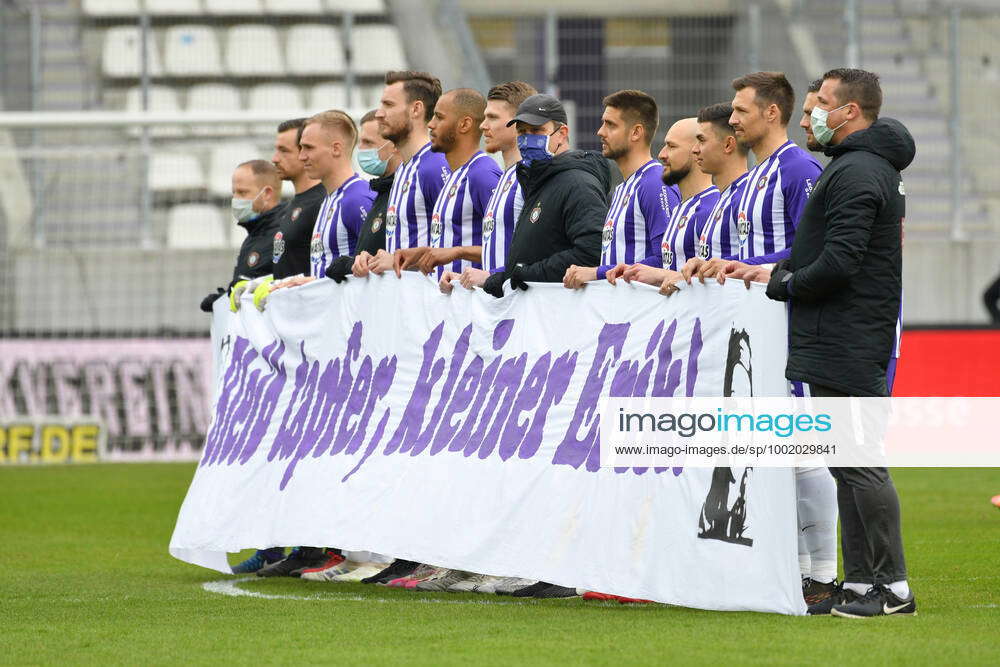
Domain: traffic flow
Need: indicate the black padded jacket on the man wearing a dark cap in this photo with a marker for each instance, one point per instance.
(565, 204)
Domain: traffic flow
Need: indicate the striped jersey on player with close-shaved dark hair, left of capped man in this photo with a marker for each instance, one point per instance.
(458, 212)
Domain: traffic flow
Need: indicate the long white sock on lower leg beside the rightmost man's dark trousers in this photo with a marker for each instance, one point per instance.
(817, 505)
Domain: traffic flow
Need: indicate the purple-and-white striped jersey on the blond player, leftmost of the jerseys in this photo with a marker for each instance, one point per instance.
(338, 223)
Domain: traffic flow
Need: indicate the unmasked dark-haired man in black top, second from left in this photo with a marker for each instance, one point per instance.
(291, 241)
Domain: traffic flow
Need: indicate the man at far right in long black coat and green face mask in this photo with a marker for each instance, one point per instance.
(843, 280)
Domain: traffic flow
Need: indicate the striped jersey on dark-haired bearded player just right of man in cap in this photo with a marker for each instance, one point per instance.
(637, 218)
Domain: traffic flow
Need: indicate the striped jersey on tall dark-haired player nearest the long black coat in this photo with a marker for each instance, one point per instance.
(771, 203)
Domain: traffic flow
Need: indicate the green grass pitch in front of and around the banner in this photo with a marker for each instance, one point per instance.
(85, 577)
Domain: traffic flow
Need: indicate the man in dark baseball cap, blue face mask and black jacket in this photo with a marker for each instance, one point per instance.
(565, 200)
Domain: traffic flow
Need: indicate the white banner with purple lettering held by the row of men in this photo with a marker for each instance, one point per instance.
(463, 431)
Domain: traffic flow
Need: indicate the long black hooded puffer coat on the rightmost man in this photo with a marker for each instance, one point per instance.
(847, 264)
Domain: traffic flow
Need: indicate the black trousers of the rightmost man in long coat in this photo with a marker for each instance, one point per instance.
(871, 540)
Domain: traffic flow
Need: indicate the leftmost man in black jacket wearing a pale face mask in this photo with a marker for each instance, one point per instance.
(256, 207)
